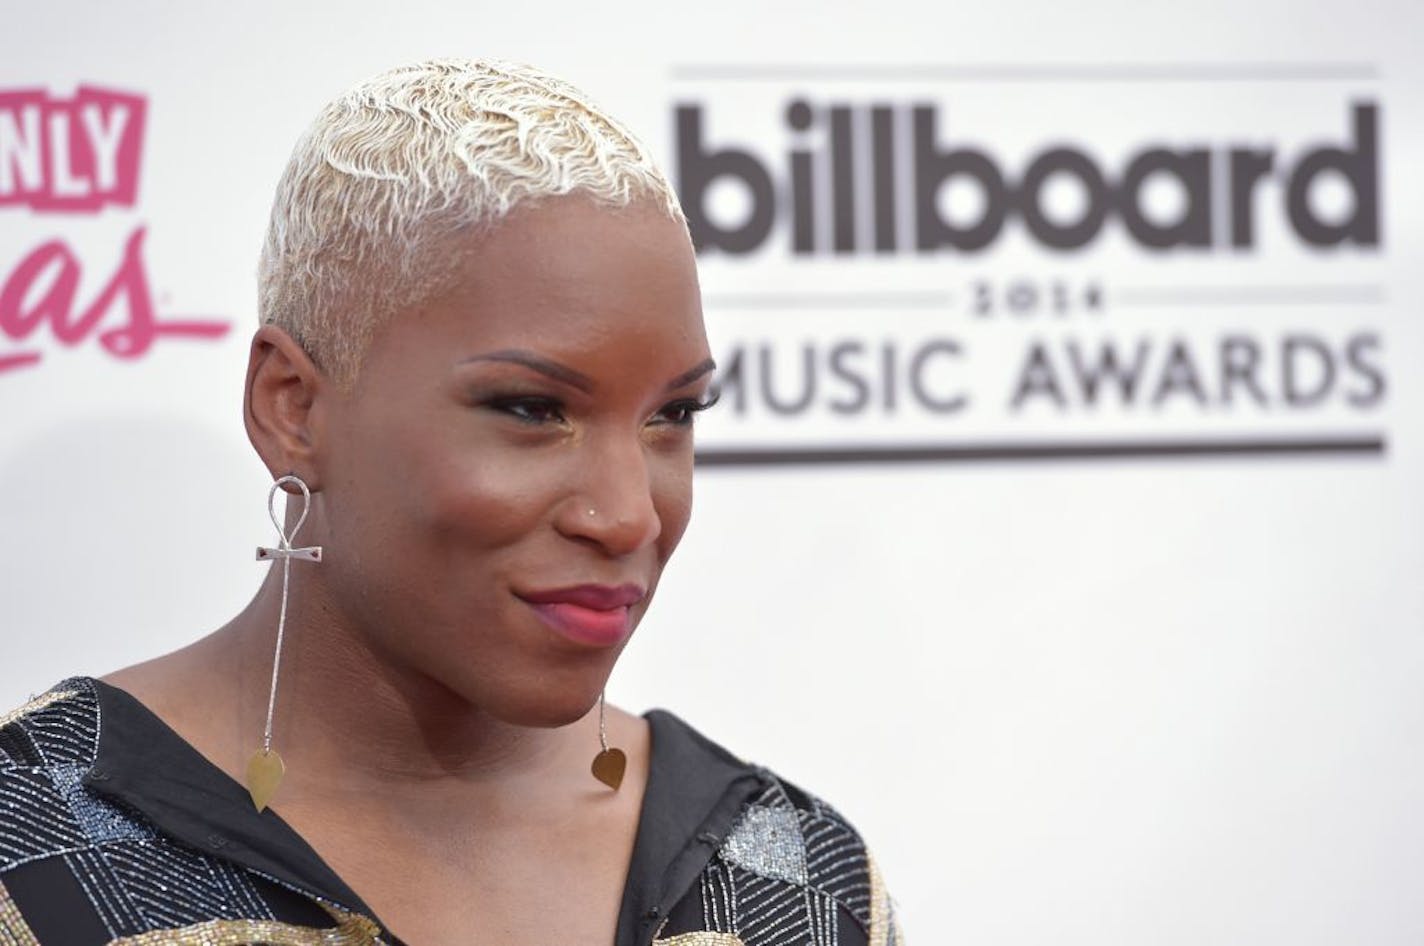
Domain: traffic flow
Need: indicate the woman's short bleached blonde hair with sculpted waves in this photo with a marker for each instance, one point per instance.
(409, 157)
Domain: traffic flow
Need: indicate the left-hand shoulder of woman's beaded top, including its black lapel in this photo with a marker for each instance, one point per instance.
(83, 856)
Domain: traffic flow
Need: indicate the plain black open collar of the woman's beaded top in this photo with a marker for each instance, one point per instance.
(696, 791)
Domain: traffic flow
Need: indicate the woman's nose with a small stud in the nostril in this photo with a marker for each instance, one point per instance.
(614, 508)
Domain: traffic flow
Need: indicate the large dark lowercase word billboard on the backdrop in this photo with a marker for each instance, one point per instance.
(848, 145)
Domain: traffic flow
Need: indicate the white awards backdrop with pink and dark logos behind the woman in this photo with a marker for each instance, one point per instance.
(1062, 519)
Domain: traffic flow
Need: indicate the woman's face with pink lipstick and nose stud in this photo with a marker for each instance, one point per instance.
(515, 467)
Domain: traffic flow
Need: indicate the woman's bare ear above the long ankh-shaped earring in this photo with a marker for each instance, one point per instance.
(281, 405)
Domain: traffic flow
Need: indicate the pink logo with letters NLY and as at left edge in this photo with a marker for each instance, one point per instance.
(79, 156)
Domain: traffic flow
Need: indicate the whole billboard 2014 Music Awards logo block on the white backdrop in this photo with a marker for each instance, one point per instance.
(1234, 306)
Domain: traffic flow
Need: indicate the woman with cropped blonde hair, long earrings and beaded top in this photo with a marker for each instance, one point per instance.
(481, 358)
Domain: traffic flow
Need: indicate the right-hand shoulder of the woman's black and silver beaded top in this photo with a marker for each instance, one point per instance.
(782, 857)
